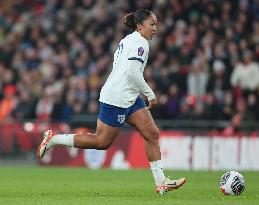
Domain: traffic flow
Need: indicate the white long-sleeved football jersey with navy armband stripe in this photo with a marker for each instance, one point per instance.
(119, 90)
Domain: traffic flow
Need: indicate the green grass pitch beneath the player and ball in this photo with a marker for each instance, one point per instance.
(35, 185)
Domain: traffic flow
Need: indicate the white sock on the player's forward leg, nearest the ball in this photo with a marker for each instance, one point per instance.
(157, 171)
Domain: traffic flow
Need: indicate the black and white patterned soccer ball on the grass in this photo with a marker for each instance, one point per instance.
(232, 183)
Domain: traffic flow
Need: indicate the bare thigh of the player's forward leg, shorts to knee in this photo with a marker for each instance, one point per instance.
(143, 122)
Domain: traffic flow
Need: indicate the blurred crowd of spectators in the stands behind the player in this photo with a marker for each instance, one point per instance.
(55, 56)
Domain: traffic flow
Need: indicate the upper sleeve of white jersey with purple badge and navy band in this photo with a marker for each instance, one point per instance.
(138, 51)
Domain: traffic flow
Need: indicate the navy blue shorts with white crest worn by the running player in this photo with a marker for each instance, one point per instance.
(116, 116)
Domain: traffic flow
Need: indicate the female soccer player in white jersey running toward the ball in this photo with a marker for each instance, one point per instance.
(120, 102)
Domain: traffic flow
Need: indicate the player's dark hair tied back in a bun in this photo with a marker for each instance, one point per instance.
(132, 19)
